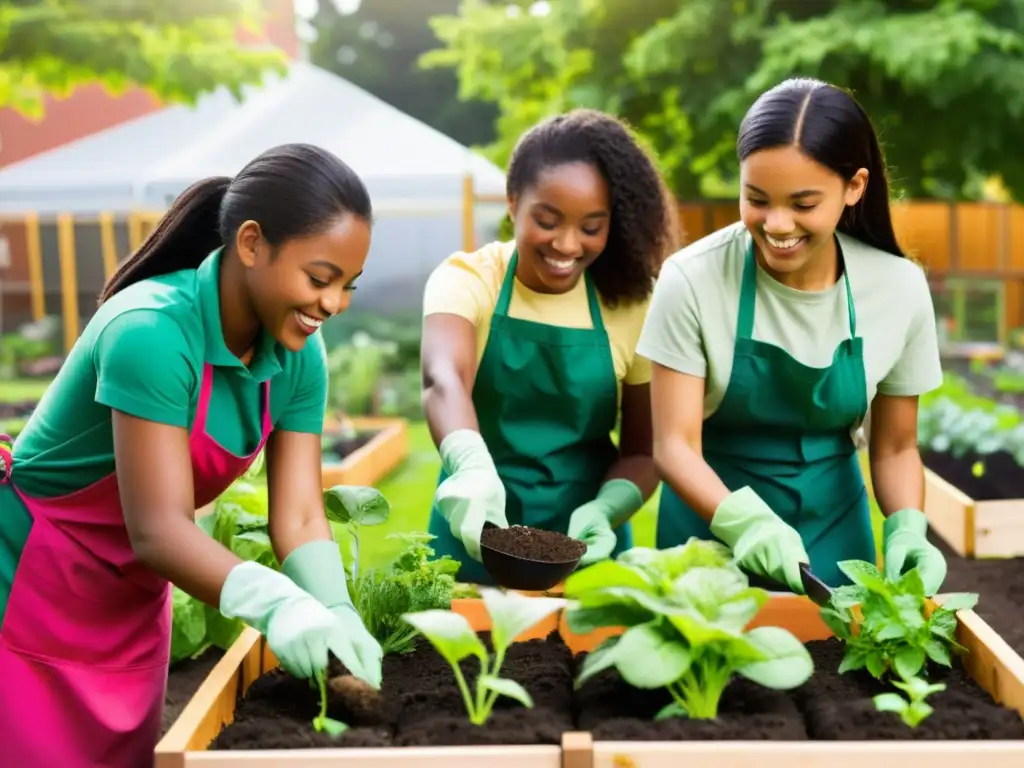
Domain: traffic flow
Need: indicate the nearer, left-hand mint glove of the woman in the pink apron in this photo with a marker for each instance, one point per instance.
(300, 629)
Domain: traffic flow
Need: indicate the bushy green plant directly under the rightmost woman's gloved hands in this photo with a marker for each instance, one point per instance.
(883, 623)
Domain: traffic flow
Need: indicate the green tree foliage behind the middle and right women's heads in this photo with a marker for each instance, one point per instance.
(944, 80)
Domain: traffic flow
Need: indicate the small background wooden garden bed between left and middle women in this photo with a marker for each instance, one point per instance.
(380, 446)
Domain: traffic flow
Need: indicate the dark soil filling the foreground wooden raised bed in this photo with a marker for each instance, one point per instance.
(420, 705)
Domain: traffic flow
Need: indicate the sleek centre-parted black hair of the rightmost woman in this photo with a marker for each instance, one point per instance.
(829, 125)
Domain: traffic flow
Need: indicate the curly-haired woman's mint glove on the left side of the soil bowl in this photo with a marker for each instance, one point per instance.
(473, 494)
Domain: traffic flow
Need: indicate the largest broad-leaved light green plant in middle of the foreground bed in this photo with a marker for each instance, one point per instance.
(686, 611)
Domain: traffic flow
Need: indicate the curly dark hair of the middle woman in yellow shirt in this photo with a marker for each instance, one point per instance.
(645, 227)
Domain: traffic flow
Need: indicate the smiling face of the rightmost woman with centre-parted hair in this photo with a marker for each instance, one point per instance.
(791, 205)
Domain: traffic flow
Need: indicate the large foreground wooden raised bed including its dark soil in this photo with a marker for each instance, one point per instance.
(829, 722)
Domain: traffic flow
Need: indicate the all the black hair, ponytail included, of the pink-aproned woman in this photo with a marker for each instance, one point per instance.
(292, 191)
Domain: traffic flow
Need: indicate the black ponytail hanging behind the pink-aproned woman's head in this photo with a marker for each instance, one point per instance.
(186, 236)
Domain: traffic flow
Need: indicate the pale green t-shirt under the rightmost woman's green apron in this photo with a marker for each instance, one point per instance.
(692, 324)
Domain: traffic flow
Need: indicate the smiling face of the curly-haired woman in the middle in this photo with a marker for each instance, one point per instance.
(562, 227)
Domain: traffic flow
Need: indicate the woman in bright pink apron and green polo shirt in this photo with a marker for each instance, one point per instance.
(205, 351)
